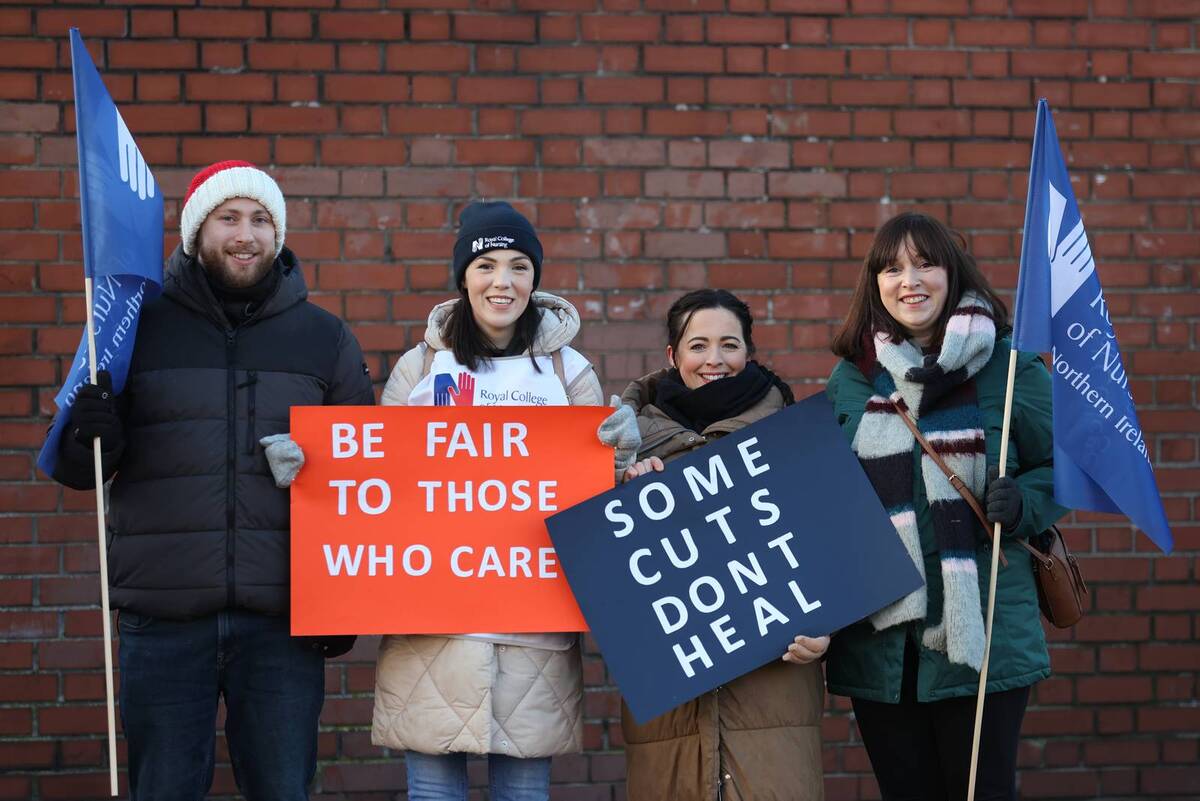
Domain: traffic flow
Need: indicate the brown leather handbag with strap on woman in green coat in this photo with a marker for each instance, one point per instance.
(1063, 593)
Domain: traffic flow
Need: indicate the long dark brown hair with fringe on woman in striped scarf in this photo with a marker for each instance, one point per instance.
(934, 243)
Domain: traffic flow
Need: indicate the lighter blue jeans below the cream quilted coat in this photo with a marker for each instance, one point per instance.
(443, 778)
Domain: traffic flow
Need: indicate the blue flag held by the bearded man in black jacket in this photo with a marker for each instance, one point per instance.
(122, 215)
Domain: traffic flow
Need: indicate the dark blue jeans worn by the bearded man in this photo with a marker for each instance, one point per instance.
(175, 672)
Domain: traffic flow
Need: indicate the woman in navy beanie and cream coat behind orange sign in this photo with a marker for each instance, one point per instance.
(517, 698)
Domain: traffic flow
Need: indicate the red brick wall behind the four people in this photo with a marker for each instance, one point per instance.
(659, 146)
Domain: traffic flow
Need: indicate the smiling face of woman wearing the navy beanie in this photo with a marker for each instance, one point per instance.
(499, 287)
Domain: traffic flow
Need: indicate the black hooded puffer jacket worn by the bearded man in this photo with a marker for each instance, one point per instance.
(196, 523)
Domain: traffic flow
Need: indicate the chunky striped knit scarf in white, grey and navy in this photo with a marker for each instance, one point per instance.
(939, 392)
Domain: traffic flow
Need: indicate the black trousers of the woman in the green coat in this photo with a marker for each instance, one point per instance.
(922, 752)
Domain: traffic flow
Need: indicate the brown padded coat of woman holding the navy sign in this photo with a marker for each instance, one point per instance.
(755, 739)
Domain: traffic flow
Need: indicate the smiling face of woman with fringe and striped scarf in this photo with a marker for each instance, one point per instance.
(914, 292)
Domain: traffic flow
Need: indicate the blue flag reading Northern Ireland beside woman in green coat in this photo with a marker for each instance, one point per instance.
(1101, 460)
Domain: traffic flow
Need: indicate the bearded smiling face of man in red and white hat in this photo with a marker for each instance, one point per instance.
(237, 243)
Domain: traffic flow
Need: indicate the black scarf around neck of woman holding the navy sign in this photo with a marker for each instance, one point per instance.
(729, 398)
